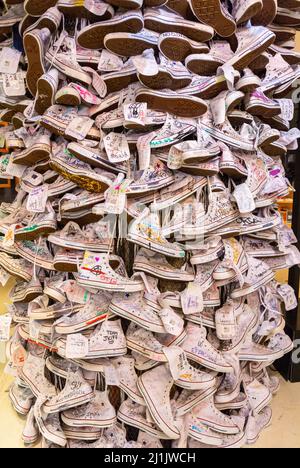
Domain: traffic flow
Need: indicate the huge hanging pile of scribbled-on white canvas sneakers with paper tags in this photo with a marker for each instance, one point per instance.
(148, 140)
